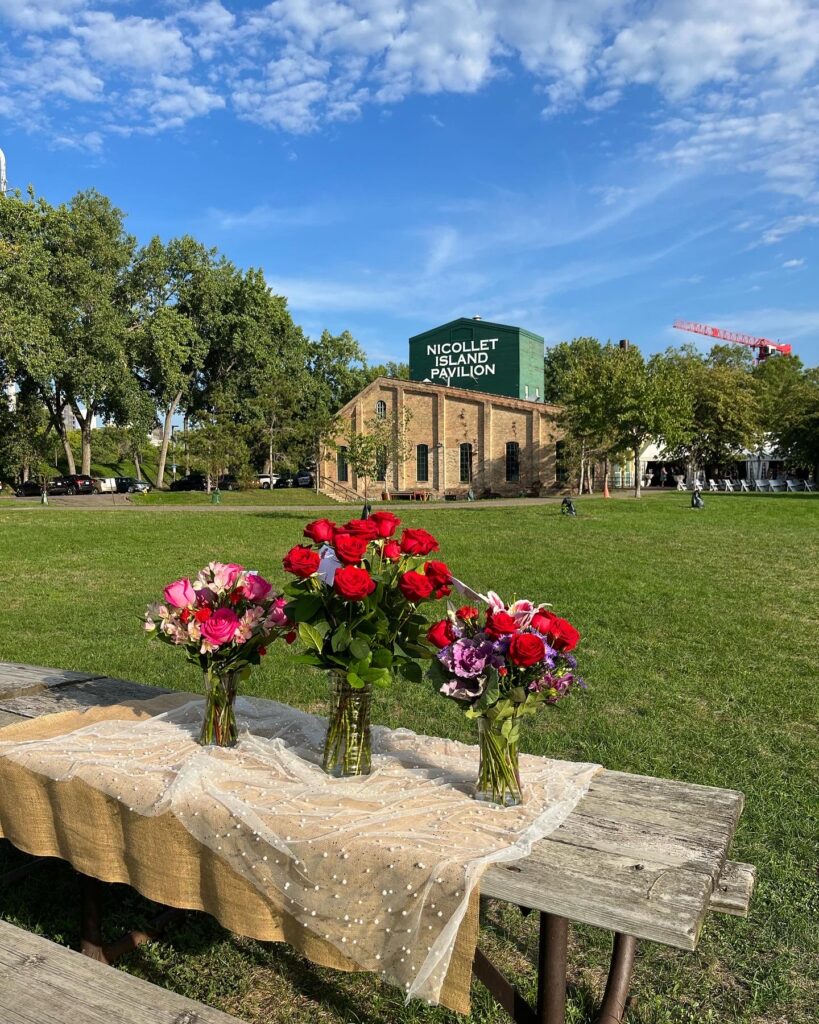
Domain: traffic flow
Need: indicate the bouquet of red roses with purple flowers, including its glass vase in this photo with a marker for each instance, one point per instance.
(511, 664)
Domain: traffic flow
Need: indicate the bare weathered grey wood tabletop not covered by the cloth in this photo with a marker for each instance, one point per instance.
(643, 858)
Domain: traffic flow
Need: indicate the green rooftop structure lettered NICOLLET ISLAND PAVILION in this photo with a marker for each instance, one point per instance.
(477, 355)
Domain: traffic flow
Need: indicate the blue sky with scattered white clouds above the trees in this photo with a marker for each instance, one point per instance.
(576, 168)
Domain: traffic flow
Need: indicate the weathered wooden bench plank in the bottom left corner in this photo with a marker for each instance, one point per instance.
(45, 984)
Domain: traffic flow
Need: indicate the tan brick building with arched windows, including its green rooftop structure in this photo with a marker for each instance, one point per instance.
(492, 434)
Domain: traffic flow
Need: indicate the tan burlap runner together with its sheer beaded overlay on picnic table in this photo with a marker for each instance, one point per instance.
(378, 874)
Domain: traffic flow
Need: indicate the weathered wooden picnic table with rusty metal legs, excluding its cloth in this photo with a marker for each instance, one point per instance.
(645, 859)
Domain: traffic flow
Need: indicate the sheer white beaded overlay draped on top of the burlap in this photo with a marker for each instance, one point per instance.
(381, 867)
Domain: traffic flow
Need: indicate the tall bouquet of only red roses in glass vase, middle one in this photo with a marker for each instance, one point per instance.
(357, 603)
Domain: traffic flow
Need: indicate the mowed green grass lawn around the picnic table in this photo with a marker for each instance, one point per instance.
(700, 650)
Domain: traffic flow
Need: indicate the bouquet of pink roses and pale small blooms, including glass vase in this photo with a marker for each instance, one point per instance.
(223, 620)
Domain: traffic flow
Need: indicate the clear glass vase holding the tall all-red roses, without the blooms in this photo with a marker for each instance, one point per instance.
(348, 748)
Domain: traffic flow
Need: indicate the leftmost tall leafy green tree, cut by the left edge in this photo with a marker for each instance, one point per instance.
(63, 307)
